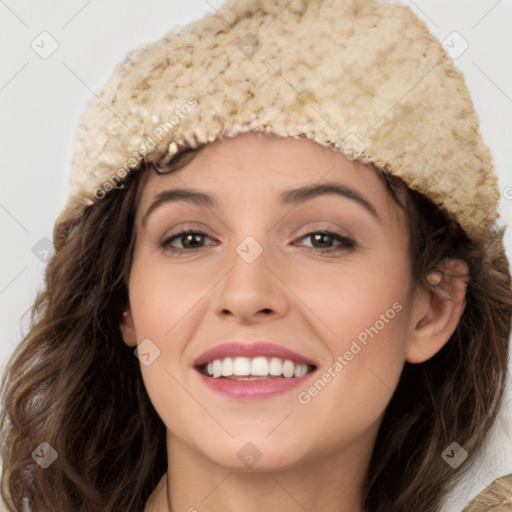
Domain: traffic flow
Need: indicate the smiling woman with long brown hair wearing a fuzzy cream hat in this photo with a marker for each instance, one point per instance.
(272, 371)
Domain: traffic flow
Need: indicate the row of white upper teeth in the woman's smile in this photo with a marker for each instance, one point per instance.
(257, 366)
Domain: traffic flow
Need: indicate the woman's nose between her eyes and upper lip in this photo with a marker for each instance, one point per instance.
(252, 290)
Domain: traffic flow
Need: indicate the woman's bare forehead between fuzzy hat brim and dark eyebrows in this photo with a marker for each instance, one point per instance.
(259, 167)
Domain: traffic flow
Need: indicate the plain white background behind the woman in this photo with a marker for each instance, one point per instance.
(41, 99)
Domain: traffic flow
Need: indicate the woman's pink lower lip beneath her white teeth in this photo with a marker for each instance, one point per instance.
(254, 389)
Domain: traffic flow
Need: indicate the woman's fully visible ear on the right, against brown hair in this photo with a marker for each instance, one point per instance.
(437, 311)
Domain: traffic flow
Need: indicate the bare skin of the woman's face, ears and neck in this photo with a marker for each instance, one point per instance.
(313, 456)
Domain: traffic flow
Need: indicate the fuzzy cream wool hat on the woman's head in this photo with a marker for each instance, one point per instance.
(363, 77)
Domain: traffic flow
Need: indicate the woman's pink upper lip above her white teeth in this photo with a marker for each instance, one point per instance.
(253, 349)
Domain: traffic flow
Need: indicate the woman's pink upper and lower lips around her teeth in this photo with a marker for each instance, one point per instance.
(252, 389)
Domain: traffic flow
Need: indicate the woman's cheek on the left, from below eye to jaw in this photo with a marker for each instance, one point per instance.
(167, 308)
